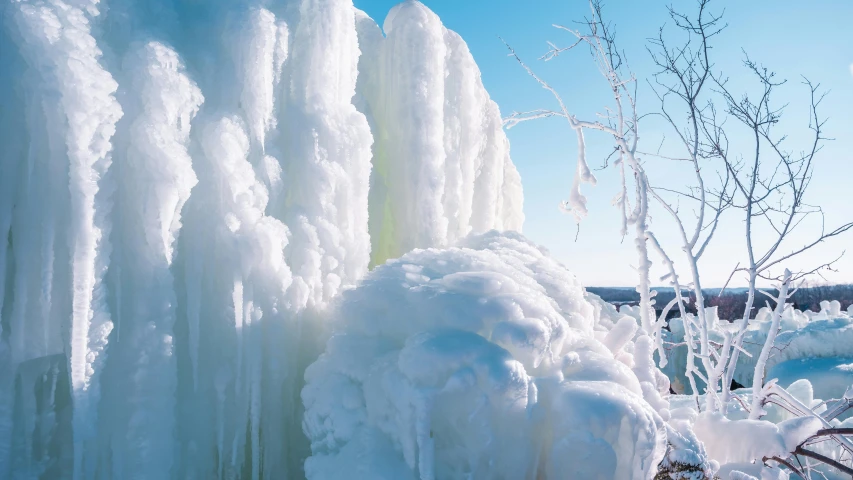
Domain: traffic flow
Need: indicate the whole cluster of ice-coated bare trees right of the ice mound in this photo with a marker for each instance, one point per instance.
(769, 189)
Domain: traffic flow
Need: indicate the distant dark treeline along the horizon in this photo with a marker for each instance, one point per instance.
(730, 303)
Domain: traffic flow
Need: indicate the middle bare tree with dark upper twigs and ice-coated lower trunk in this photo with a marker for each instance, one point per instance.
(682, 85)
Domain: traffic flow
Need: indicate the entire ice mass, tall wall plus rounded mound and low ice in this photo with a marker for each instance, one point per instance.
(192, 198)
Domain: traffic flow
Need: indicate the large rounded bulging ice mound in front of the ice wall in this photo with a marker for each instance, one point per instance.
(474, 362)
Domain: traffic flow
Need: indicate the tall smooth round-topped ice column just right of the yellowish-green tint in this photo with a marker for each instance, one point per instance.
(416, 142)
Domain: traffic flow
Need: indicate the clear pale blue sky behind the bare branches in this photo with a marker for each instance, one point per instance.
(791, 37)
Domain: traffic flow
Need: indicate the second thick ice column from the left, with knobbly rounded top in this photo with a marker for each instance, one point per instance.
(157, 177)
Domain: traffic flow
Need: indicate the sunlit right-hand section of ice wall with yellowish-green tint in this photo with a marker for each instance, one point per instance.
(441, 158)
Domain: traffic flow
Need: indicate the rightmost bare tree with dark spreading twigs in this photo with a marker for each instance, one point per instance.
(770, 187)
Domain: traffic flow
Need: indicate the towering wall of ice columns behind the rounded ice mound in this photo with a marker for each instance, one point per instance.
(184, 188)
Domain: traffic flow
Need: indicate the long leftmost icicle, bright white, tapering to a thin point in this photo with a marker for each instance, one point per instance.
(51, 32)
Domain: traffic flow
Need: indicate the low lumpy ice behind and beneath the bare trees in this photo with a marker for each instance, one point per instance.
(811, 361)
